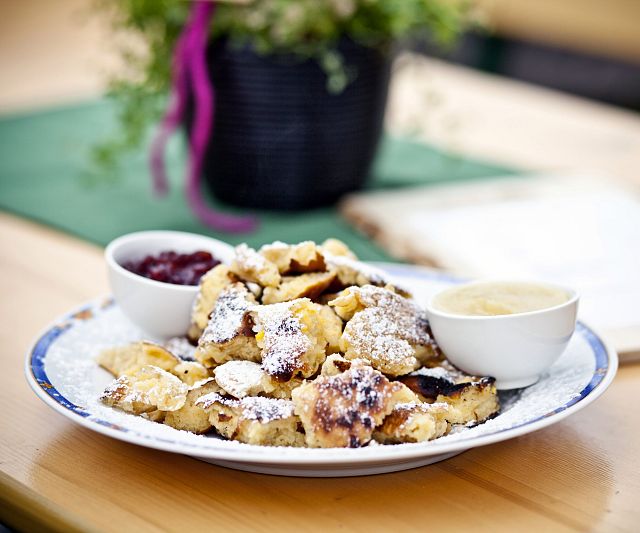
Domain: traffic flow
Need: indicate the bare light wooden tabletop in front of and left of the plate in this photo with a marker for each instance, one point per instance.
(583, 473)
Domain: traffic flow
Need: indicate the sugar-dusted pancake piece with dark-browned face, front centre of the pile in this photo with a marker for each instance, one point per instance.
(343, 410)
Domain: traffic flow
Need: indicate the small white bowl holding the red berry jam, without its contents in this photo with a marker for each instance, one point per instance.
(161, 309)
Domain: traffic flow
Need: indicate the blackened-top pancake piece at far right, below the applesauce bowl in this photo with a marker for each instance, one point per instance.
(471, 399)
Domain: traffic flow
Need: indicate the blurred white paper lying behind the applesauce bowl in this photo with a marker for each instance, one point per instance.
(589, 241)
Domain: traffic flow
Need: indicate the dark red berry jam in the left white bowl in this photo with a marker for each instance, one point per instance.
(172, 267)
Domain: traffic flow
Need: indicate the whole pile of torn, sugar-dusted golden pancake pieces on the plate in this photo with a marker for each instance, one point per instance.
(300, 345)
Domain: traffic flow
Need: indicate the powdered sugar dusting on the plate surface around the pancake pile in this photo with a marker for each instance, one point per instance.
(71, 369)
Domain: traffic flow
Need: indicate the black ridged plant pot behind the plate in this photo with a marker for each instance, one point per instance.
(280, 139)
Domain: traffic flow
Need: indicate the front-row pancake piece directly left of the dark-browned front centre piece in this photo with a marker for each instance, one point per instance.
(253, 420)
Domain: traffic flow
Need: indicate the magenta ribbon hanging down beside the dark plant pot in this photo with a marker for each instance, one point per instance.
(190, 70)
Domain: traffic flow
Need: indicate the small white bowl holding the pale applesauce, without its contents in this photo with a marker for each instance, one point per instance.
(515, 349)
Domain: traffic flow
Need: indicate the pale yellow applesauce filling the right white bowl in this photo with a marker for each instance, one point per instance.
(498, 298)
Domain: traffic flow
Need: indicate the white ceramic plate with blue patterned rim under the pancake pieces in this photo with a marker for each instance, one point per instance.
(61, 370)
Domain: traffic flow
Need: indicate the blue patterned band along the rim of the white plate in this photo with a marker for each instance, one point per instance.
(605, 367)
